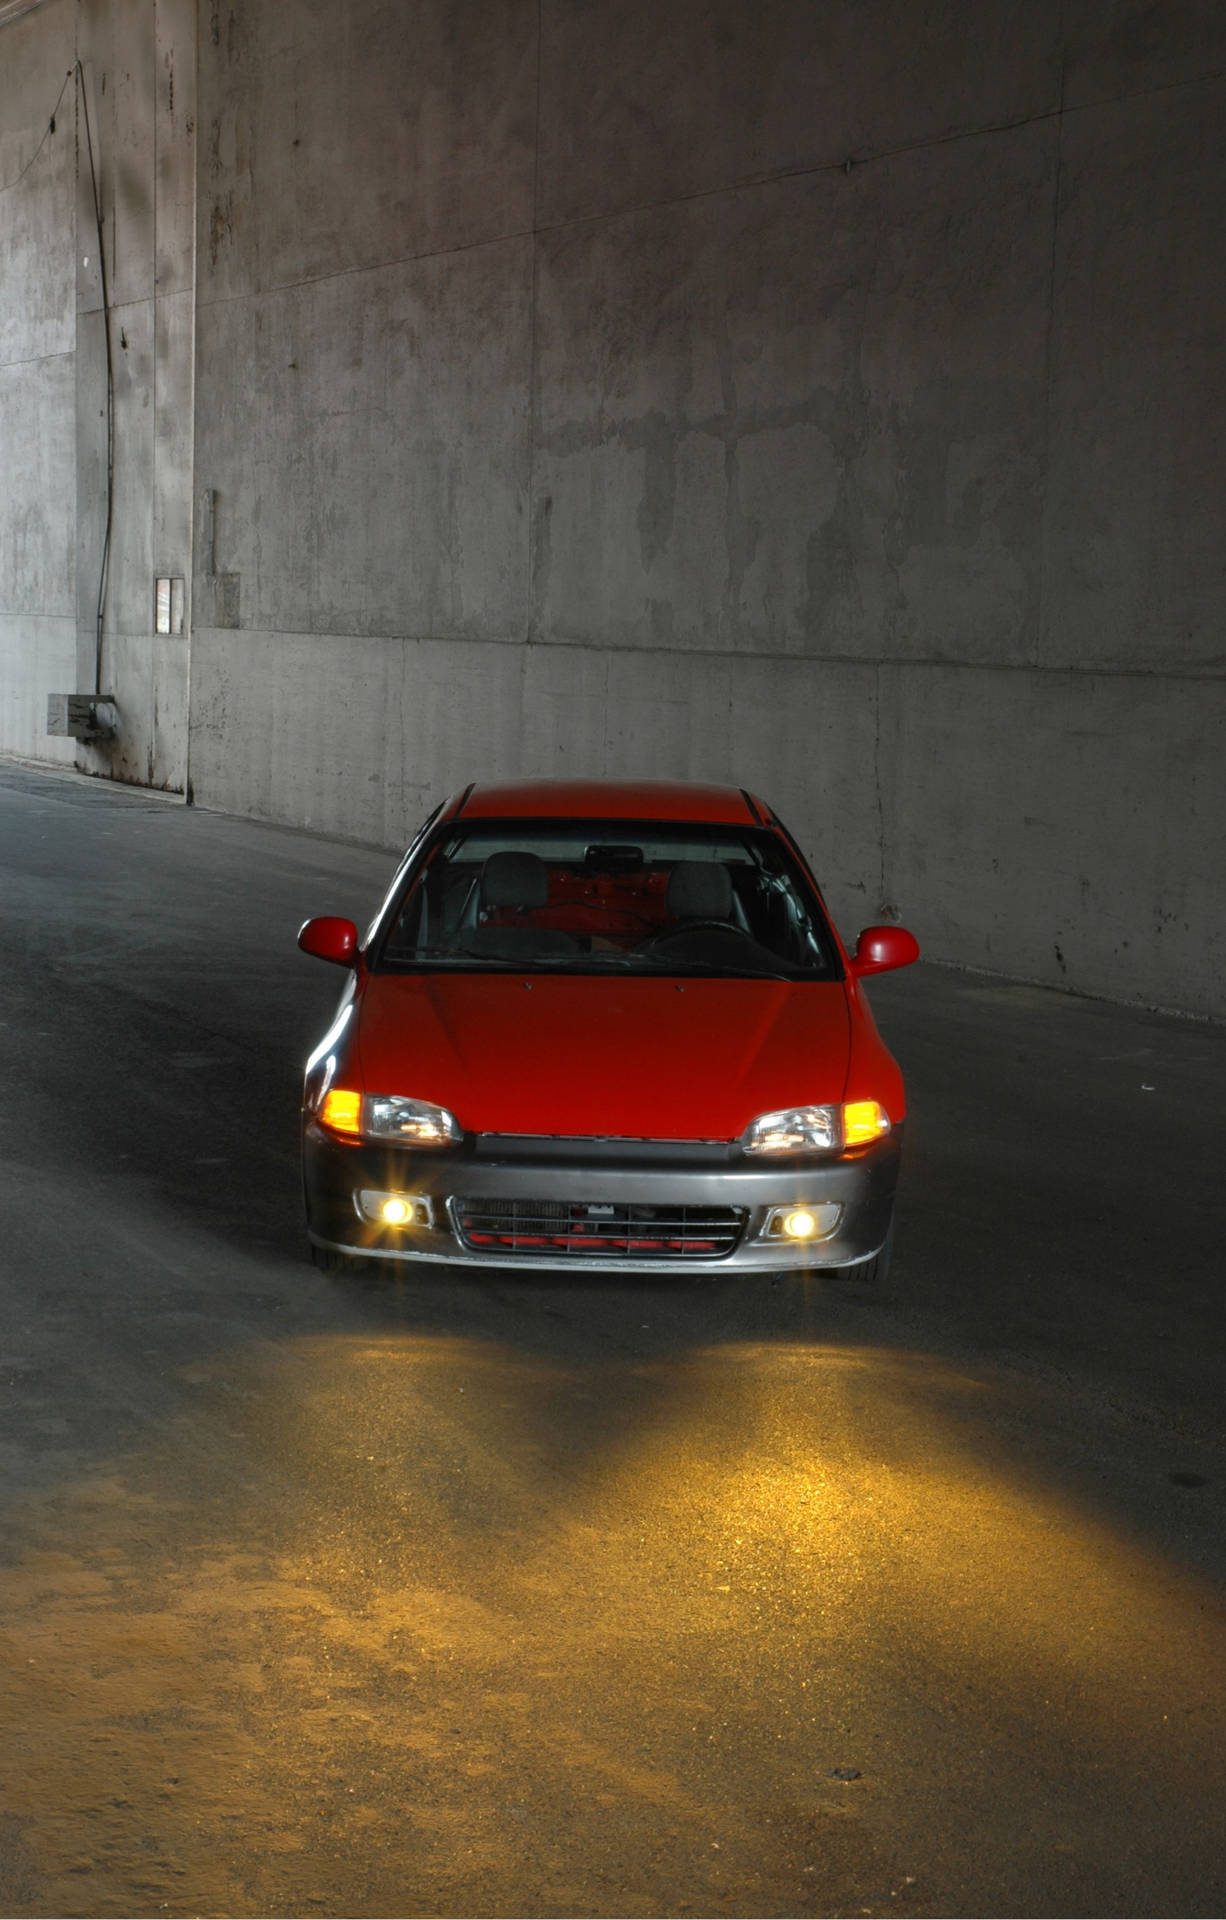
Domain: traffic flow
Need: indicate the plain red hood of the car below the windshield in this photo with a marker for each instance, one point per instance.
(582, 1055)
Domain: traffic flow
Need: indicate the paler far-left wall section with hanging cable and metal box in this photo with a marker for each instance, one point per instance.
(118, 76)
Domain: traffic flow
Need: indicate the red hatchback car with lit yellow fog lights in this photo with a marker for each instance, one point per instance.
(603, 1026)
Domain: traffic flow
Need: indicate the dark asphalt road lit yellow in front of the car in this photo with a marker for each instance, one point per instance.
(552, 1596)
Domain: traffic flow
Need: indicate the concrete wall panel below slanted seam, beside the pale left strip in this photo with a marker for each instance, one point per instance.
(387, 489)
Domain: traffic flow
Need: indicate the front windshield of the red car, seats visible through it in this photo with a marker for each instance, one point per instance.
(609, 896)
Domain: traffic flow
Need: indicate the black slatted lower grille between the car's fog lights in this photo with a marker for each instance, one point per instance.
(598, 1230)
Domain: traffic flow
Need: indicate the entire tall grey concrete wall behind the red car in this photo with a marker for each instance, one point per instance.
(820, 398)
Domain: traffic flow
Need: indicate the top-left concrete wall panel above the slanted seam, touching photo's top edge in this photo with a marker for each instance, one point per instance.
(346, 137)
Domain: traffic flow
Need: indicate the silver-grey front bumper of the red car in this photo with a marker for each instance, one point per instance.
(596, 1186)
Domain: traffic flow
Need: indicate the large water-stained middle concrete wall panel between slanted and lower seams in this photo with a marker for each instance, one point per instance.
(803, 418)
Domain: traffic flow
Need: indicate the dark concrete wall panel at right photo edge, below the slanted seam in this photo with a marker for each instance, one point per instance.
(1137, 496)
